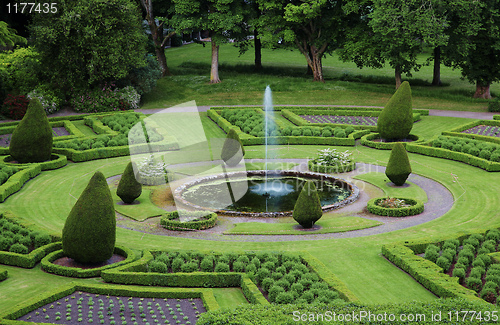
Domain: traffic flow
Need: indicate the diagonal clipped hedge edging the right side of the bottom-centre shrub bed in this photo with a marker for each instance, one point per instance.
(328, 277)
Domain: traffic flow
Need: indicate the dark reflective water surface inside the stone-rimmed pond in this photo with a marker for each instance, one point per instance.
(279, 193)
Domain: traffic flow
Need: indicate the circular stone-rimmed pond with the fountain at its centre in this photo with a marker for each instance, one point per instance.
(253, 193)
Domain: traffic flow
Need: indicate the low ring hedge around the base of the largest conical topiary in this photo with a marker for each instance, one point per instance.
(74, 272)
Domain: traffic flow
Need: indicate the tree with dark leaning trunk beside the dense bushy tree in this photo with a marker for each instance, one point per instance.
(157, 19)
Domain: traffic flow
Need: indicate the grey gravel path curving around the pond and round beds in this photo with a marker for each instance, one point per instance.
(440, 200)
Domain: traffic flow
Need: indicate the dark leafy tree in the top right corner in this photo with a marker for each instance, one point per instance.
(474, 45)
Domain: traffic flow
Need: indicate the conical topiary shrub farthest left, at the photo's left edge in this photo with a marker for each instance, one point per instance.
(31, 141)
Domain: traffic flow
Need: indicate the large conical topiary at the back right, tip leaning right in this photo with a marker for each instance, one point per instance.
(396, 119)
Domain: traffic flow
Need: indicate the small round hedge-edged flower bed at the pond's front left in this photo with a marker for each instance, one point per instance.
(194, 220)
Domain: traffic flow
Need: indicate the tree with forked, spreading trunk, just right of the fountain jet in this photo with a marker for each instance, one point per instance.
(313, 26)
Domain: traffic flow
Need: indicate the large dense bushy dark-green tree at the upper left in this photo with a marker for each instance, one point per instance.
(90, 42)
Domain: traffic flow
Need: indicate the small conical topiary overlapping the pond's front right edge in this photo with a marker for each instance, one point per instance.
(307, 209)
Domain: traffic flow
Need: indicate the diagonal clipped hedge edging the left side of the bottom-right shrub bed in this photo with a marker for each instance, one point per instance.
(427, 273)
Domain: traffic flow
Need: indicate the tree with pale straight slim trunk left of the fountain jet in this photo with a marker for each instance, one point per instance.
(220, 17)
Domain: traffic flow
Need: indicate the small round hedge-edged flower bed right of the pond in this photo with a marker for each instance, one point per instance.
(395, 207)
